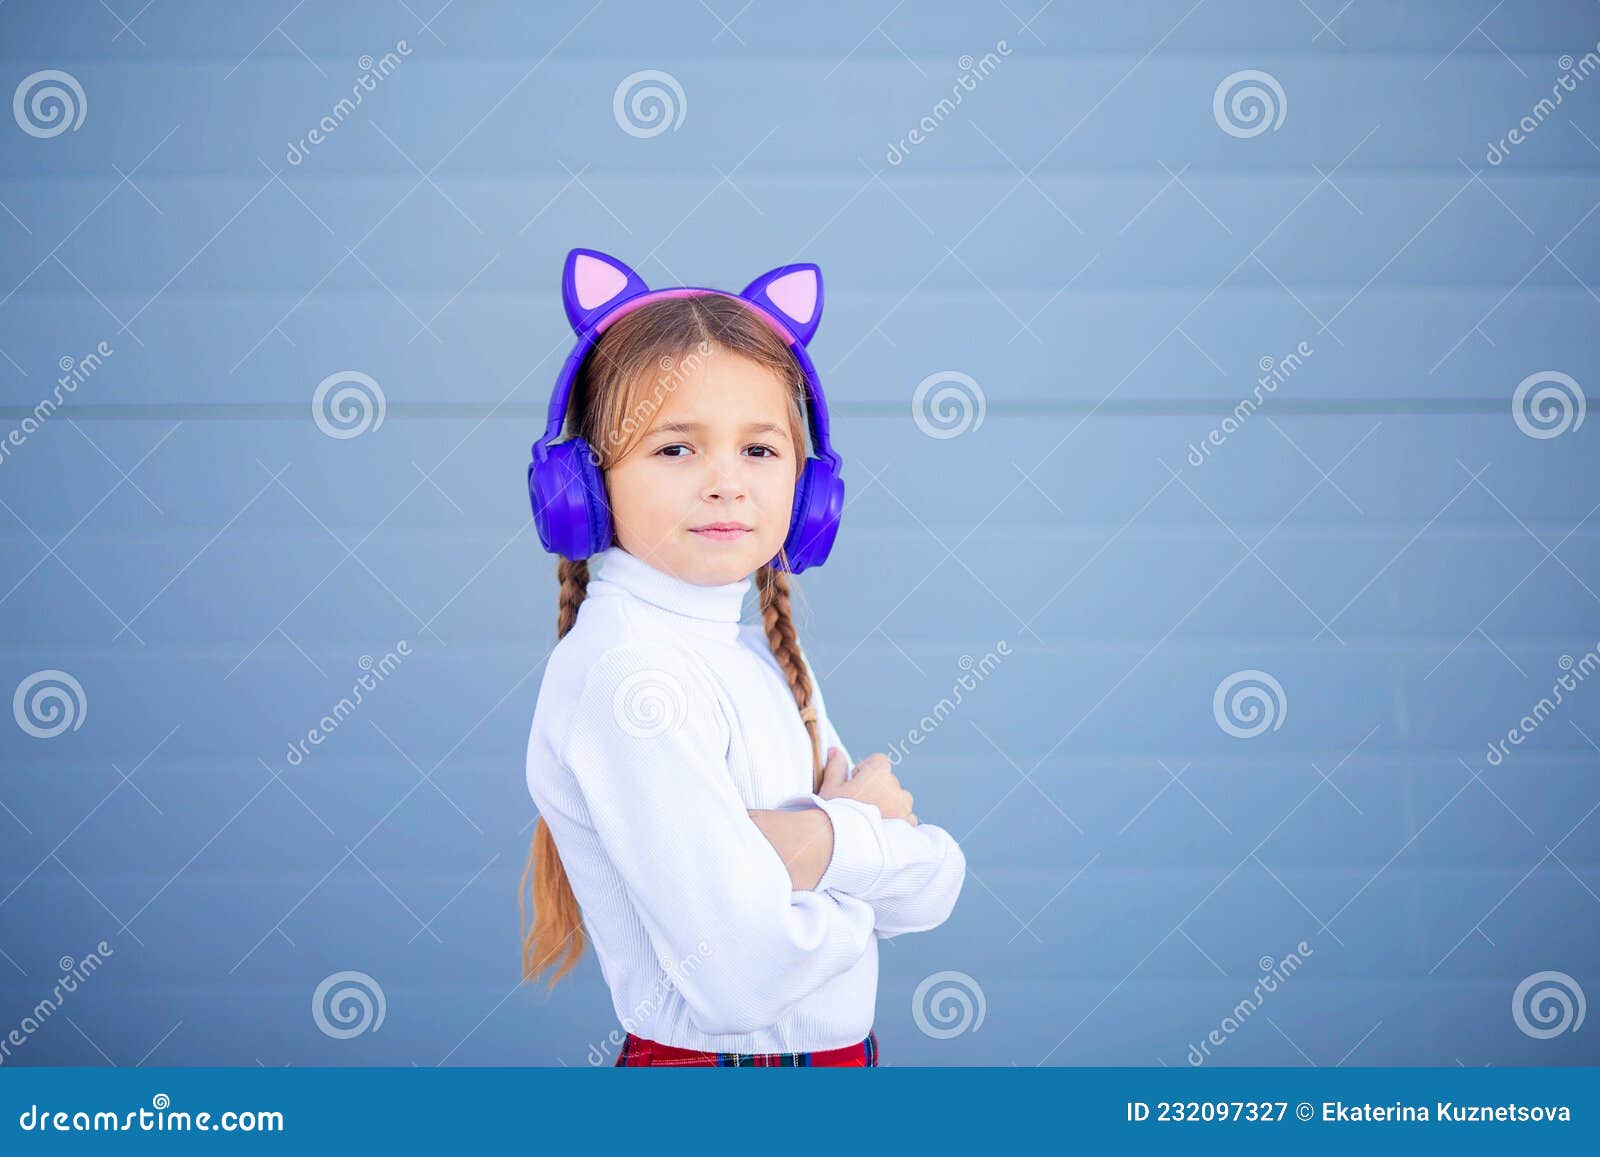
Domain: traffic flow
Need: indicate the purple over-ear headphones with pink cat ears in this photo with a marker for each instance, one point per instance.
(566, 489)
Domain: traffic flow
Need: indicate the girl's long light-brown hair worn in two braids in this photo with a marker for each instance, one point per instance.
(610, 410)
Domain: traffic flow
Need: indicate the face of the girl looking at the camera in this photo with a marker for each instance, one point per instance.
(708, 492)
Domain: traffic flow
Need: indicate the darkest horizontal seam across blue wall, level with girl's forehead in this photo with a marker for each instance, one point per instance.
(540, 410)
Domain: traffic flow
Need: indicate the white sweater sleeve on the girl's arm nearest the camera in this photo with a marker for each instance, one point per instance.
(650, 756)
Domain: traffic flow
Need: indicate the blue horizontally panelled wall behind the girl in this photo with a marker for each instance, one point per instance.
(1081, 238)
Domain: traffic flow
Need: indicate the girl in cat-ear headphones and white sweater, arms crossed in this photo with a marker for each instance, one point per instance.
(735, 881)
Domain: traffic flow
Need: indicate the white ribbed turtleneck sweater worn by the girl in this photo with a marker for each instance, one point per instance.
(662, 719)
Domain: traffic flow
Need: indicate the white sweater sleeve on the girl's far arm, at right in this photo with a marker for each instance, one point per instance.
(910, 873)
